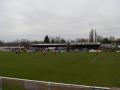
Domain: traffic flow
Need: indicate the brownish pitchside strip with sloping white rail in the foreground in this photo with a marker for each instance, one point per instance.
(24, 84)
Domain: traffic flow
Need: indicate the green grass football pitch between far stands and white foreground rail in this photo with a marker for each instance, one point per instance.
(71, 67)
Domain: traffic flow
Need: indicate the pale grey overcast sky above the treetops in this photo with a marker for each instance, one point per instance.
(33, 19)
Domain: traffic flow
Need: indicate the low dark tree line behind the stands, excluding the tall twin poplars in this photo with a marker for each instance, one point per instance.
(26, 43)
